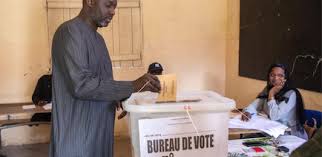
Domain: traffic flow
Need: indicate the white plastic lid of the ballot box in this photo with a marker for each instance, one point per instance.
(203, 101)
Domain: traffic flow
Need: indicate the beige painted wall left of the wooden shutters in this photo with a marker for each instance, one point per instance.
(24, 54)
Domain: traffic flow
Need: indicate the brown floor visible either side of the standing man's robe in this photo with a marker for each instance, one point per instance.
(122, 148)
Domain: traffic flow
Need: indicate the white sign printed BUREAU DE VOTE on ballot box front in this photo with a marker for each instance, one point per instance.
(177, 137)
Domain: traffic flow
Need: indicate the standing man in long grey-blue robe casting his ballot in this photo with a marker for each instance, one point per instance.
(85, 94)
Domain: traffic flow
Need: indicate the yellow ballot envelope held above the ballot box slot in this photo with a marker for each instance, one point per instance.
(168, 91)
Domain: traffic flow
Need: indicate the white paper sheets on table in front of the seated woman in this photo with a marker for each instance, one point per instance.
(266, 125)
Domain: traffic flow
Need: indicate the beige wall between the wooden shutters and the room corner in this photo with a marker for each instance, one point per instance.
(188, 37)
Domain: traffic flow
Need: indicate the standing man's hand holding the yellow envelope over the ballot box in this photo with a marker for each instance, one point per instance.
(147, 82)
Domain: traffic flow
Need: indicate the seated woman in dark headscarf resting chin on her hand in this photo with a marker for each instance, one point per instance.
(279, 101)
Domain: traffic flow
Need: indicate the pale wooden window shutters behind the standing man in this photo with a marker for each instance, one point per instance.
(123, 36)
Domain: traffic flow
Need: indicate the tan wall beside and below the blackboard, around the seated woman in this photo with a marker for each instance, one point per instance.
(242, 89)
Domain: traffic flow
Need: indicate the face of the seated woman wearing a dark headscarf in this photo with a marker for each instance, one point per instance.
(277, 77)
